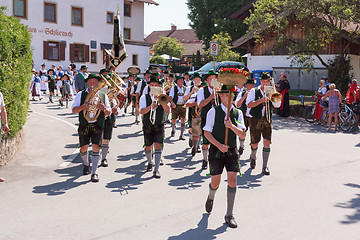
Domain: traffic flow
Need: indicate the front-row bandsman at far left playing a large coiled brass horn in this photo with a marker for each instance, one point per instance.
(91, 131)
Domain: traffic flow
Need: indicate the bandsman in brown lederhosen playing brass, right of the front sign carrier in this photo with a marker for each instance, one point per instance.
(259, 124)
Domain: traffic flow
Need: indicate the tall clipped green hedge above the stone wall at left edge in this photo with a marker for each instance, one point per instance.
(15, 70)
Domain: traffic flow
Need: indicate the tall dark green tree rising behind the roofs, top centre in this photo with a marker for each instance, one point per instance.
(209, 17)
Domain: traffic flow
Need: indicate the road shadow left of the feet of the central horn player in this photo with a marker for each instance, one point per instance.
(125, 185)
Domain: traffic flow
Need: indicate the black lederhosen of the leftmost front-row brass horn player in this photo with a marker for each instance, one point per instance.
(89, 132)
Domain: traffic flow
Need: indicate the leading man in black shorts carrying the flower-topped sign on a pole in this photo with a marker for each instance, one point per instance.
(221, 155)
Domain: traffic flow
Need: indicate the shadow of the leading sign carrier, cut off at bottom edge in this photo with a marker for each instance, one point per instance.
(201, 231)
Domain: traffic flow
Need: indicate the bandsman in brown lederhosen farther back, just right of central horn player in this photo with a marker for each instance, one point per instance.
(177, 93)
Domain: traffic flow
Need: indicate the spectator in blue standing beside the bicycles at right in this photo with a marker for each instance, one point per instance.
(334, 104)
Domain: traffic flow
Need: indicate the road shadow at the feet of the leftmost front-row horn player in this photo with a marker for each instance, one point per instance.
(71, 174)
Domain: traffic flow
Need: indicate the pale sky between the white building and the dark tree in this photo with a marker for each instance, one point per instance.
(168, 12)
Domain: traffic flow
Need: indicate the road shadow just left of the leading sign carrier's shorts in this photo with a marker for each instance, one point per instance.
(190, 182)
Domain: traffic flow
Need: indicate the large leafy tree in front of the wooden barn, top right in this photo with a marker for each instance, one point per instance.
(322, 23)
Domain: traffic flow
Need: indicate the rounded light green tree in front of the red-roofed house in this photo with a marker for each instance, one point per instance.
(169, 46)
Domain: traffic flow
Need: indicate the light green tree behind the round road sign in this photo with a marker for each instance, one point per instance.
(225, 52)
